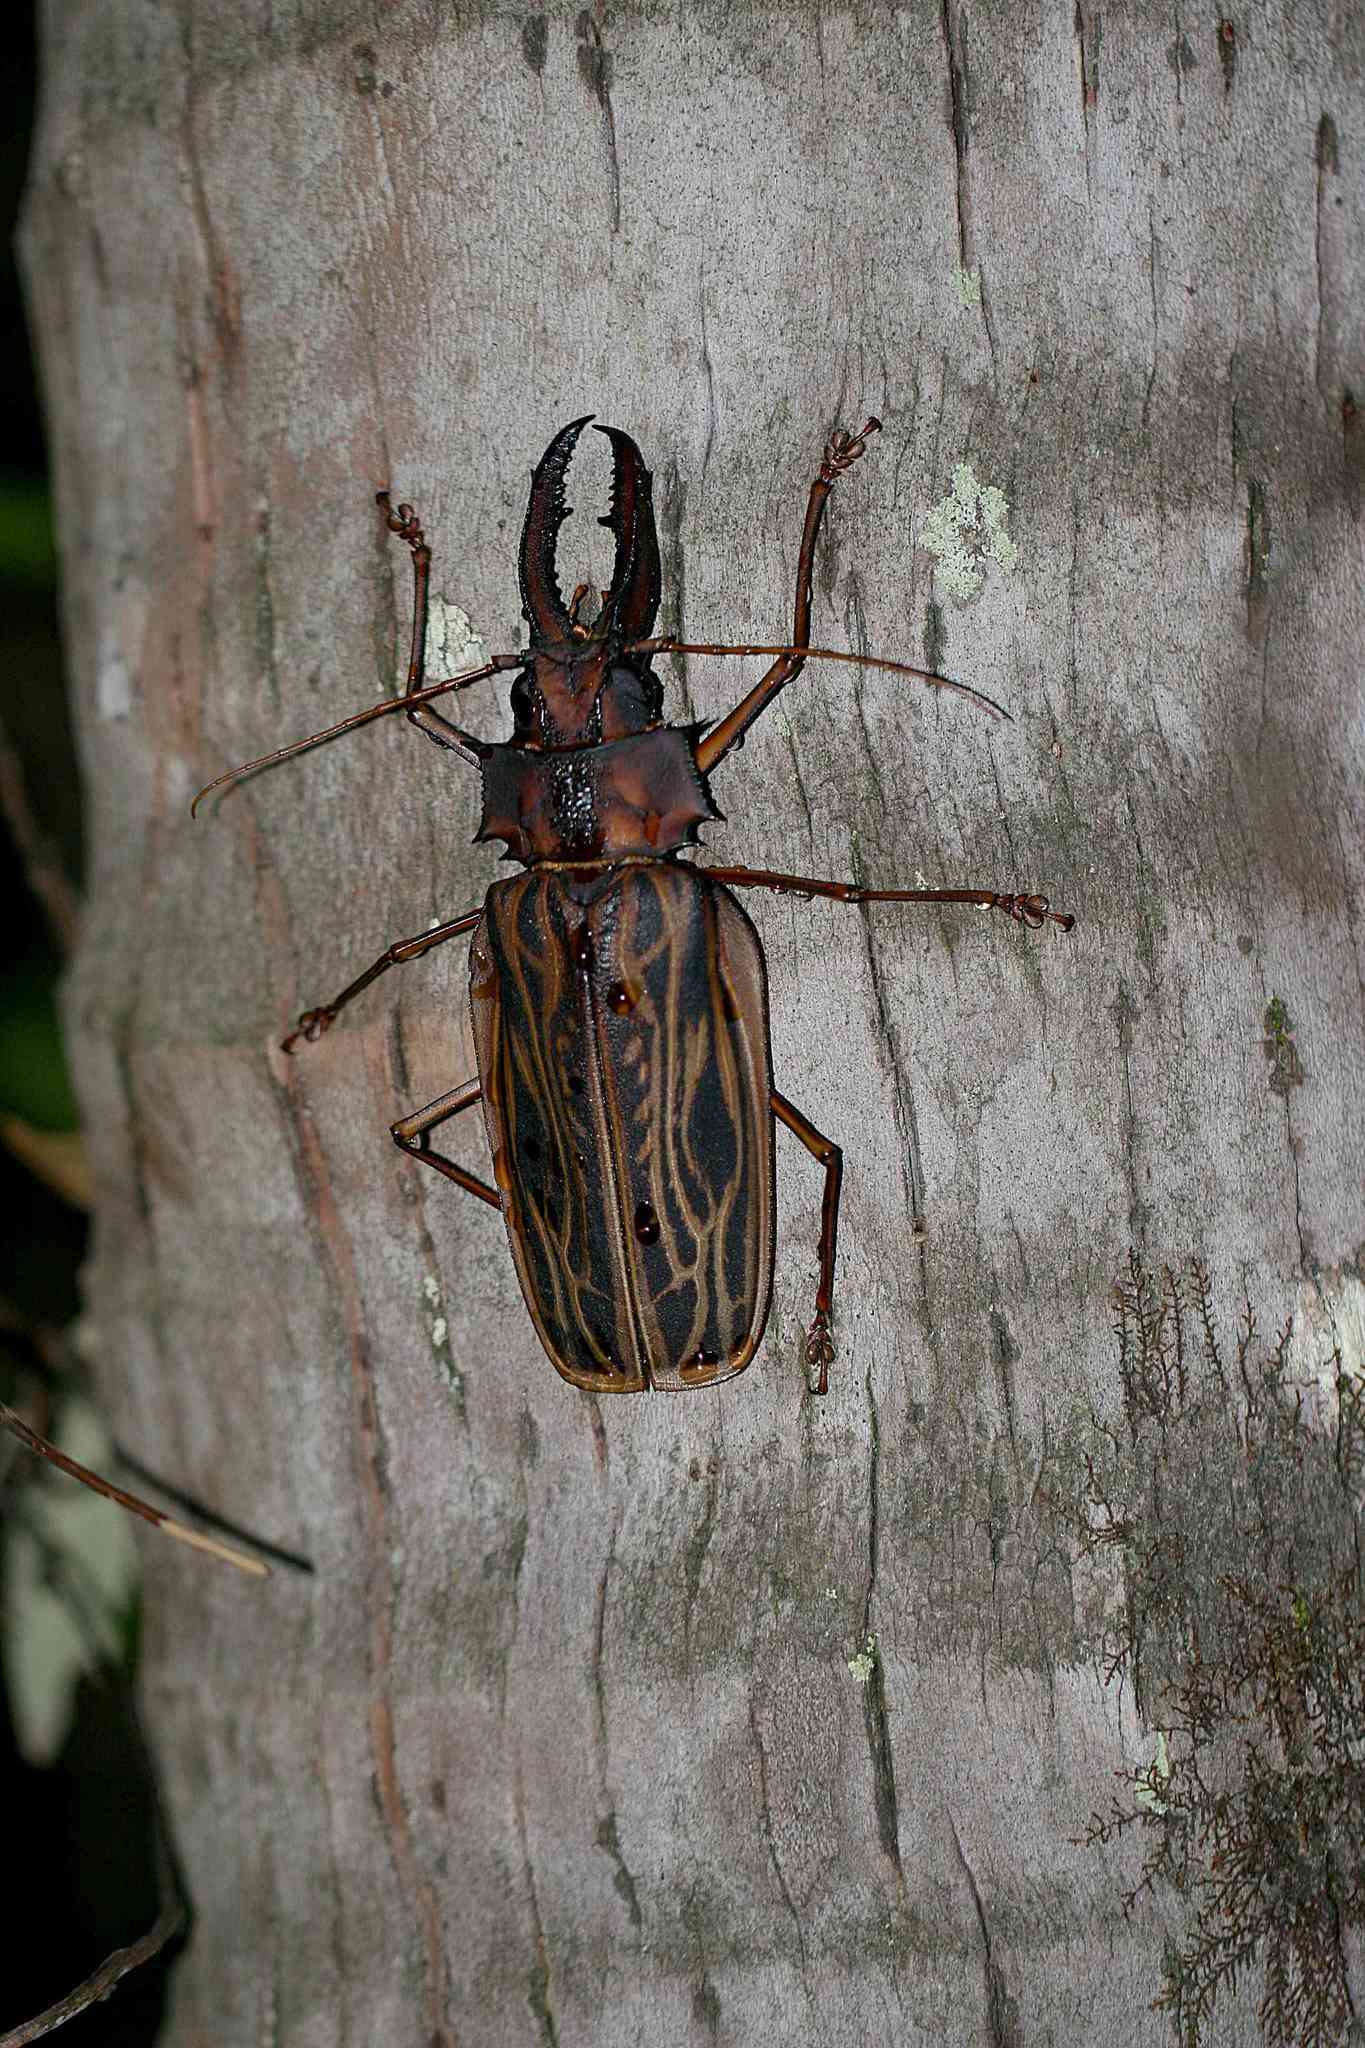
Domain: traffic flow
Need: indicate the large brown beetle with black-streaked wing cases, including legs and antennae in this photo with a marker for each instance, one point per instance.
(619, 992)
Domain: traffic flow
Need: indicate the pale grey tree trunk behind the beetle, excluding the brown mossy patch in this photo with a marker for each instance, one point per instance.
(732, 1717)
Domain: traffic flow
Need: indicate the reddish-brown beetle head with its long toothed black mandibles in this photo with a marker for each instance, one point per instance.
(578, 687)
